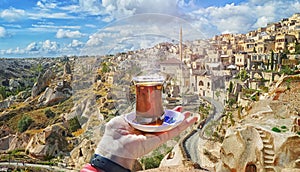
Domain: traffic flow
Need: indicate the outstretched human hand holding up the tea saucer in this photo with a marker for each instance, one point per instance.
(123, 144)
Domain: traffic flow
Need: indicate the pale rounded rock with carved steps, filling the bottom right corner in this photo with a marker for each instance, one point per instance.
(258, 148)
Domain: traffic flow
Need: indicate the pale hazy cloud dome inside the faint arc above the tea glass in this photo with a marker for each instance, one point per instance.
(138, 31)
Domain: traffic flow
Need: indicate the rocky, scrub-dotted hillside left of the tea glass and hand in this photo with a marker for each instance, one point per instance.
(58, 116)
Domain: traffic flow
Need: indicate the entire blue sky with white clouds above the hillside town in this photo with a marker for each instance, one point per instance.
(51, 28)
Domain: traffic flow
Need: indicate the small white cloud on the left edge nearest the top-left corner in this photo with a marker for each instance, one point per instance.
(12, 14)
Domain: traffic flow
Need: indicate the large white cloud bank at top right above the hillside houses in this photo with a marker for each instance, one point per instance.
(243, 17)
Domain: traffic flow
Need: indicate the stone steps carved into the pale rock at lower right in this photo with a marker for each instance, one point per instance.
(268, 151)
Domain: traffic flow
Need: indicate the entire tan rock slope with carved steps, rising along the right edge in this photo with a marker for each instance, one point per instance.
(267, 135)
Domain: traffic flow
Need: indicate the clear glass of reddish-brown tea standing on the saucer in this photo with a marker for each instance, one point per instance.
(149, 107)
